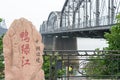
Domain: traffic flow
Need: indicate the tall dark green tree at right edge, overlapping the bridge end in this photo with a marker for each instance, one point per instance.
(113, 39)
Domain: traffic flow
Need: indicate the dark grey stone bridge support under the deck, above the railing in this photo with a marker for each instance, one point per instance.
(60, 43)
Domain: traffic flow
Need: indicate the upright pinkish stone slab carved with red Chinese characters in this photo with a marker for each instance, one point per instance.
(23, 51)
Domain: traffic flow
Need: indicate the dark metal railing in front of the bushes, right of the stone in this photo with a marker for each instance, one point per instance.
(83, 64)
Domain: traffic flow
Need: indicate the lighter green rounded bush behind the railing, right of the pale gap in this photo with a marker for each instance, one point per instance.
(96, 67)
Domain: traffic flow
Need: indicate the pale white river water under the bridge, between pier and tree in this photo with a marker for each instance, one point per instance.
(91, 43)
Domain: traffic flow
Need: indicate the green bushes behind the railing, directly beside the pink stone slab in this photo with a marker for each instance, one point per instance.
(50, 66)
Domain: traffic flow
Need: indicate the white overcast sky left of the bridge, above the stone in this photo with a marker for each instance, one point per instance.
(35, 11)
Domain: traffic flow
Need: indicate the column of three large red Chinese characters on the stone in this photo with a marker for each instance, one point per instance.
(25, 49)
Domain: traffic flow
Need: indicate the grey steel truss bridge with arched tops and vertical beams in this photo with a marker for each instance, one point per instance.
(81, 16)
